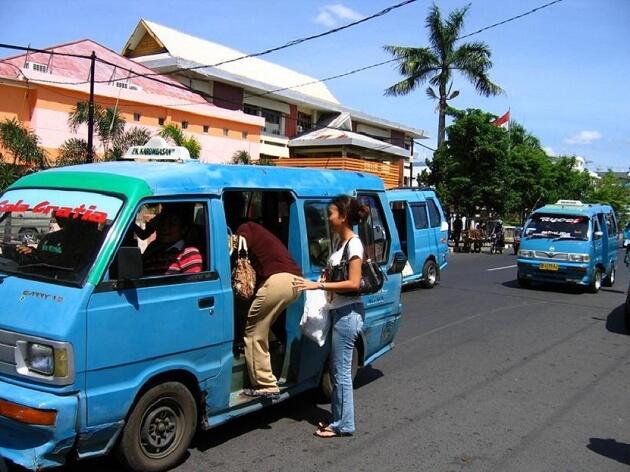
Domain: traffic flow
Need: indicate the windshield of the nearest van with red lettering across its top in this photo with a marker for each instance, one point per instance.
(53, 234)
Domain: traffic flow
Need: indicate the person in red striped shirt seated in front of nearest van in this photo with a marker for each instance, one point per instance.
(169, 254)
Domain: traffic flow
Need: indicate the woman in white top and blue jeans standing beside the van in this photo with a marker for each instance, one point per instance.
(346, 311)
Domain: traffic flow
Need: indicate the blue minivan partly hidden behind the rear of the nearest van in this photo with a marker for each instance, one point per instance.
(423, 233)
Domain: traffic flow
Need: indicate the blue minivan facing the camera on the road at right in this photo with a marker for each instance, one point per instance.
(569, 242)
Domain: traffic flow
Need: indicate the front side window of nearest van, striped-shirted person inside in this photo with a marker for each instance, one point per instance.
(172, 236)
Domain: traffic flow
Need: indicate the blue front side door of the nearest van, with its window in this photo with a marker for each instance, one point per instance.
(158, 323)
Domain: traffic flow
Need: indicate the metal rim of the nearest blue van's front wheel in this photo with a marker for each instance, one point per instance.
(160, 432)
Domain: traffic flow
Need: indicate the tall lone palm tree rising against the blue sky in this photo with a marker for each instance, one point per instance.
(437, 62)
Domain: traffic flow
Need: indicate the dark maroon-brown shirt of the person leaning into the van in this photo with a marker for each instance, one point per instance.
(267, 253)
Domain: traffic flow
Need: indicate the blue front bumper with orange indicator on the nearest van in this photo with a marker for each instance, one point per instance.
(37, 429)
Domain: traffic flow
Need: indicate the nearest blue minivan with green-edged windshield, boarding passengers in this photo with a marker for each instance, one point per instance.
(97, 357)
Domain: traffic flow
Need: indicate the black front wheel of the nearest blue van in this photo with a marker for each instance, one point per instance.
(159, 429)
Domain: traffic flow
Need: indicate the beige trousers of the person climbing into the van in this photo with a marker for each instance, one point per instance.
(270, 299)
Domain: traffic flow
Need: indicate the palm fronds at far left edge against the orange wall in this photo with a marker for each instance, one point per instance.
(22, 144)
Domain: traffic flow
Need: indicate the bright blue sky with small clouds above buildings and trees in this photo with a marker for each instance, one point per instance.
(565, 69)
